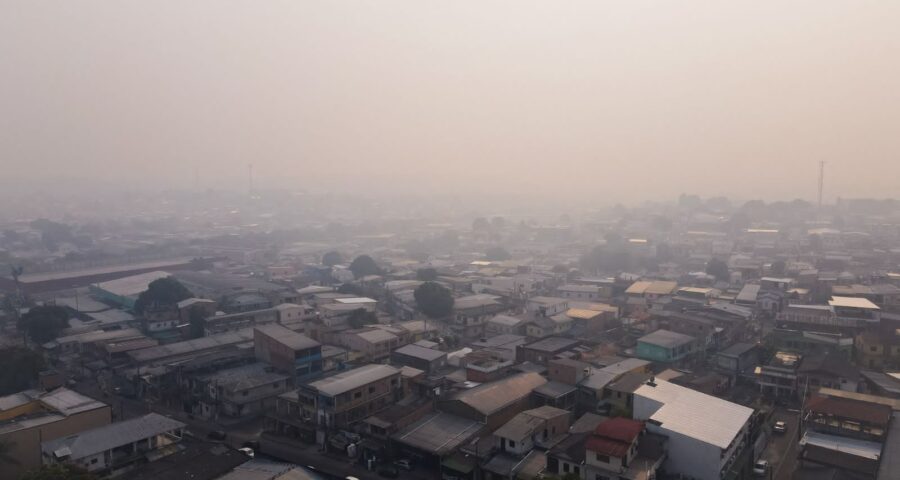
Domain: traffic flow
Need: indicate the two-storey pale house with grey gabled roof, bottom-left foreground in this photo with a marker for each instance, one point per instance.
(117, 446)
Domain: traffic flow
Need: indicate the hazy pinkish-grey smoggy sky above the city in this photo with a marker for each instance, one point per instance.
(613, 101)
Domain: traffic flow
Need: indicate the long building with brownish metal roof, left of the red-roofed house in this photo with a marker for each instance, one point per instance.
(495, 403)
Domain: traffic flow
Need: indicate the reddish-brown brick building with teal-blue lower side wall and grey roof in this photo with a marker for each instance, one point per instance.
(288, 351)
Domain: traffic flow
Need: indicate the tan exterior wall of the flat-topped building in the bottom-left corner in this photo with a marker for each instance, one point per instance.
(27, 442)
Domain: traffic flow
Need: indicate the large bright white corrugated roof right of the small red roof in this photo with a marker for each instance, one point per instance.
(695, 414)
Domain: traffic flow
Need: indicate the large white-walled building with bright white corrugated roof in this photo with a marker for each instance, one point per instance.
(706, 435)
